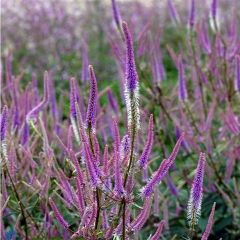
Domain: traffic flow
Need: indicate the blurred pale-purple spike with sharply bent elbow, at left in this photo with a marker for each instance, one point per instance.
(35, 111)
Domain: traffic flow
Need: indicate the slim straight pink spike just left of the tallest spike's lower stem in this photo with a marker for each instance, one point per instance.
(117, 169)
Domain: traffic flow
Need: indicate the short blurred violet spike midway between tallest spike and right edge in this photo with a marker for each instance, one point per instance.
(182, 89)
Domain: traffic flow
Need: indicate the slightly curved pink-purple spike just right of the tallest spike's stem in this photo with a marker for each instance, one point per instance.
(148, 146)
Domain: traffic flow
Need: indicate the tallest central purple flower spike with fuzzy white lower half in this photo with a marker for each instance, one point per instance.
(131, 83)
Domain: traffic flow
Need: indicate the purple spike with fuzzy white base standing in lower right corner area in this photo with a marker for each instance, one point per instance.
(195, 200)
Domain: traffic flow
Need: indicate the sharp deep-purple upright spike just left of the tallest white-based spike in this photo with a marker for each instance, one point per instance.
(92, 103)
